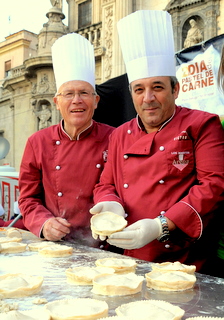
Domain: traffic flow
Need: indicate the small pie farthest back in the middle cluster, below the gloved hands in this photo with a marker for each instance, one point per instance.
(119, 265)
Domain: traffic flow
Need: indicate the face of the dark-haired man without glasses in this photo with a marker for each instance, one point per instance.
(154, 100)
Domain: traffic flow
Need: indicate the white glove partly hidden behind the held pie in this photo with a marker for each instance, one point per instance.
(112, 206)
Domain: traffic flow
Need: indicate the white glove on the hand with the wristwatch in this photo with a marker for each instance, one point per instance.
(137, 235)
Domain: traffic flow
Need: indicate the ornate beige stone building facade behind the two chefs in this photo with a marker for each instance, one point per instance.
(27, 84)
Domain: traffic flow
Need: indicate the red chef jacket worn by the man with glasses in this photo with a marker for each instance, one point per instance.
(57, 176)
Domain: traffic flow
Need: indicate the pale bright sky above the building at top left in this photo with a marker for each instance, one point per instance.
(16, 15)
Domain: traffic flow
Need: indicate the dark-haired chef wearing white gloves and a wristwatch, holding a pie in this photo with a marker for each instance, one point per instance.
(165, 168)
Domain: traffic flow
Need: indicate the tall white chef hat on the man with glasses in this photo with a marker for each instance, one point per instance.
(73, 59)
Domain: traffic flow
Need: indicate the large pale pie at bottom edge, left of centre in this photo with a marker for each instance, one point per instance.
(81, 309)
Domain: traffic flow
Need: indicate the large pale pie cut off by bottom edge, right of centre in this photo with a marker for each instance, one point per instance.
(150, 309)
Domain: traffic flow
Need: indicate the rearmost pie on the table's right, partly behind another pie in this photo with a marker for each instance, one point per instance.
(174, 266)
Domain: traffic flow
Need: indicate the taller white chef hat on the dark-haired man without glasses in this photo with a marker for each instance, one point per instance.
(146, 40)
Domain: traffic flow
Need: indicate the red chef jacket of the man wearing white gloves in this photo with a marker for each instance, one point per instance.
(178, 171)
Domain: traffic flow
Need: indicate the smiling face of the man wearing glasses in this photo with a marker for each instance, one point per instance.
(76, 110)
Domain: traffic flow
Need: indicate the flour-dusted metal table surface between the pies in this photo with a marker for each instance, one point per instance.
(205, 299)
